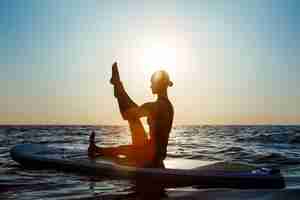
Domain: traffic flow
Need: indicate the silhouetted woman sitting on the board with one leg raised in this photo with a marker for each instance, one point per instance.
(146, 152)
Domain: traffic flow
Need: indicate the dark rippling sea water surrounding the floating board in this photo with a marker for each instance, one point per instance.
(277, 146)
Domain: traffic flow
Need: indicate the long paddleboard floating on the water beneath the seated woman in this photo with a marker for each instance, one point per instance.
(177, 172)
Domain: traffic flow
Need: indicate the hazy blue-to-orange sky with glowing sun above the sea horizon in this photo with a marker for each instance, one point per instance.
(232, 62)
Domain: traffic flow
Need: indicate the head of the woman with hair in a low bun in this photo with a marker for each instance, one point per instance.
(160, 81)
